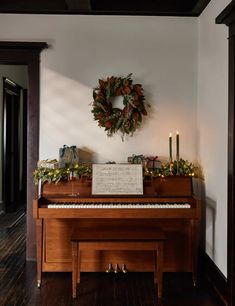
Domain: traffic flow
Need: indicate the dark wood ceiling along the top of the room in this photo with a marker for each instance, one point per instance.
(106, 7)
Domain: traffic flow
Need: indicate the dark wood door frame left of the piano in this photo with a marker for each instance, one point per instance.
(28, 53)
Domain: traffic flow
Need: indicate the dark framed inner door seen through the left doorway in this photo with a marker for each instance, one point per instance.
(14, 146)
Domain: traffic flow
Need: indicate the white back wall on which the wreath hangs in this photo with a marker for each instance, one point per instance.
(161, 53)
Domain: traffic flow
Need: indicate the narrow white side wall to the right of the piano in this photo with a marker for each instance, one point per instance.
(213, 128)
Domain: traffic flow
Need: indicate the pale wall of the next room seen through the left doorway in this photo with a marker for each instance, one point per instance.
(19, 75)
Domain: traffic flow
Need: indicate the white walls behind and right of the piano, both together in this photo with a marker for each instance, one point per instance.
(182, 65)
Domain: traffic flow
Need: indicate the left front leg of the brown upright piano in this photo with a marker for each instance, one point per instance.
(39, 228)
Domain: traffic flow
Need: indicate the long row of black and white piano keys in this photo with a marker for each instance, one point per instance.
(119, 205)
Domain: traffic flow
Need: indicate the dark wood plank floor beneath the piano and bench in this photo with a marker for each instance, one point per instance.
(18, 283)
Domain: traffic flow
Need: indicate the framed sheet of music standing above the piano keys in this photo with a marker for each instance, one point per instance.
(117, 179)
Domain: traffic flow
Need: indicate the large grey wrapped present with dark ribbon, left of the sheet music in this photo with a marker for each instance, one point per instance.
(68, 156)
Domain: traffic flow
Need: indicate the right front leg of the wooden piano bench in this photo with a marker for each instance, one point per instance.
(158, 269)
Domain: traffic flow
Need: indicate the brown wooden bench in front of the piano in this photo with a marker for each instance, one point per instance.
(130, 239)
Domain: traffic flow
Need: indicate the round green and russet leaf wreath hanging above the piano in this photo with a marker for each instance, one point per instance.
(114, 119)
